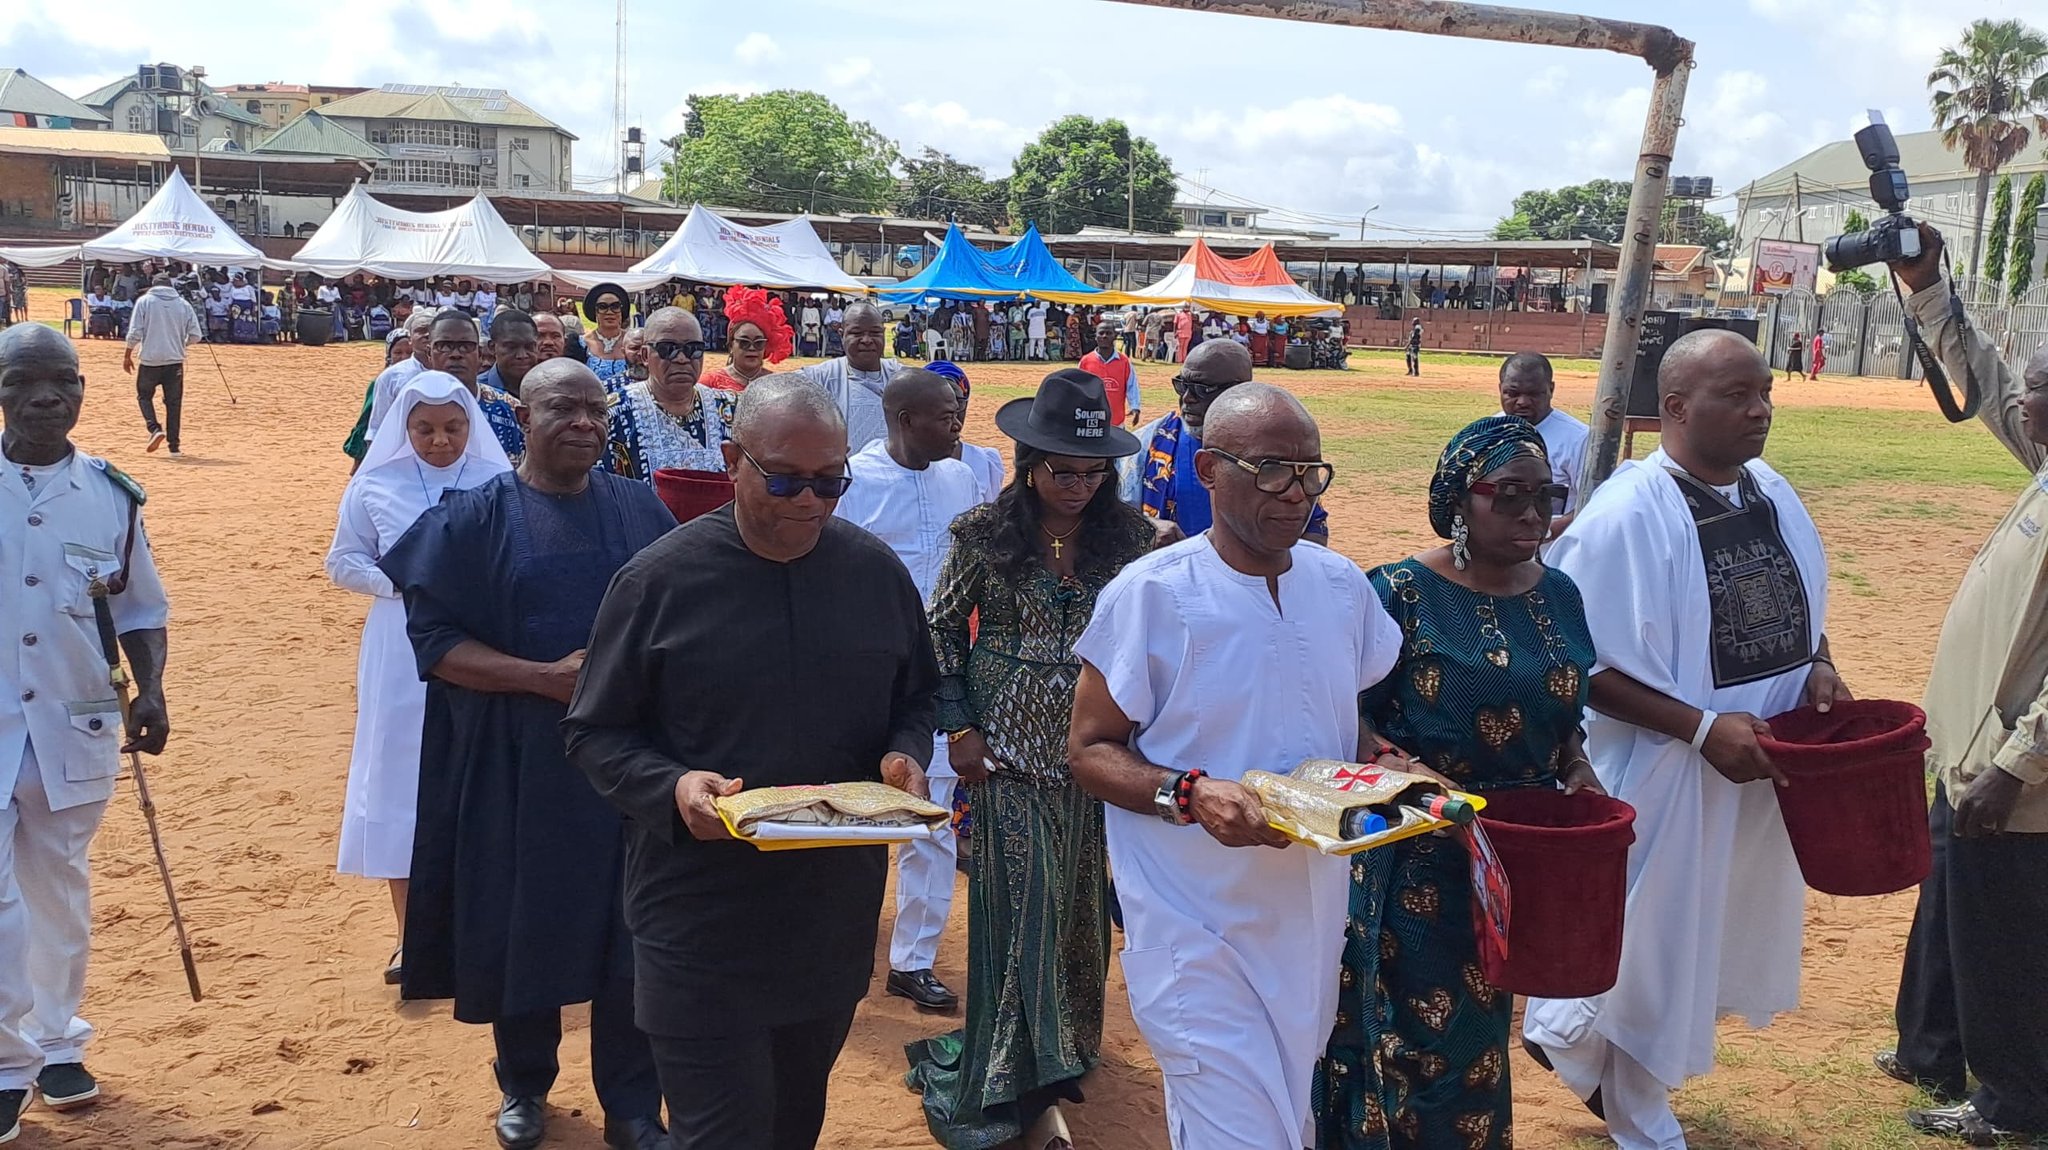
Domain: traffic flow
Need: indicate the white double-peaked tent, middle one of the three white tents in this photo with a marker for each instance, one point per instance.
(370, 236)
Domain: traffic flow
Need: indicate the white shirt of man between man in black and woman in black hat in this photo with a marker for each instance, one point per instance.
(910, 511)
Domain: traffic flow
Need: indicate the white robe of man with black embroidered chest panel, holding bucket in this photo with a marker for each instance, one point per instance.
(1715, 895)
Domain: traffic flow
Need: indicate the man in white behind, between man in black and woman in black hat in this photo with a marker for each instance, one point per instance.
(906, 492)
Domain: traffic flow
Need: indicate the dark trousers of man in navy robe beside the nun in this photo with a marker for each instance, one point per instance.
(622, 1063)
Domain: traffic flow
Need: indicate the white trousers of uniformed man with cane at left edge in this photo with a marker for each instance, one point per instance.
(46, 930)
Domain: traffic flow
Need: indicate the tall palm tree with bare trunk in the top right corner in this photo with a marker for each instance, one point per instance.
(1986, 91)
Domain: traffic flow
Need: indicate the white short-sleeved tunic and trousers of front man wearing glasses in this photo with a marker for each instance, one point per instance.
(1232, 957)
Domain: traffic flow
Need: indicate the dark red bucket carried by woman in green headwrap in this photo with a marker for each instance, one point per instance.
(1568, 871)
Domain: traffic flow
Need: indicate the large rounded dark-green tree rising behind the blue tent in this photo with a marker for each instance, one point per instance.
(1080, 171)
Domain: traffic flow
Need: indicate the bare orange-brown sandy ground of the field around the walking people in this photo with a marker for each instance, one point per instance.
(300, 1045)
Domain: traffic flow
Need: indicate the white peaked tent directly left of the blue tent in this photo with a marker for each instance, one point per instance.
(716, 251)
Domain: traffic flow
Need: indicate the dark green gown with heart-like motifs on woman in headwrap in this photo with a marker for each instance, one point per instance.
(1486, 693)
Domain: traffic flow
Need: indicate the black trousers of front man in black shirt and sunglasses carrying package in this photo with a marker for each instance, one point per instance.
(751, 1092)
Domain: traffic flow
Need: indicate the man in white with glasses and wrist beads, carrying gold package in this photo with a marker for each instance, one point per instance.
(1238, 650)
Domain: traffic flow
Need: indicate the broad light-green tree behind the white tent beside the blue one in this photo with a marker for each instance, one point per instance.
(779, 152)
